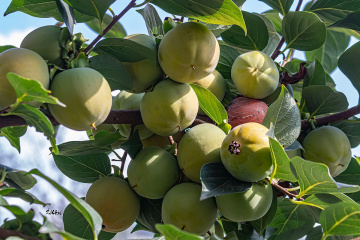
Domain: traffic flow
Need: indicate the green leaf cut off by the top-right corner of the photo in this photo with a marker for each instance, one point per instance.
(334, 10)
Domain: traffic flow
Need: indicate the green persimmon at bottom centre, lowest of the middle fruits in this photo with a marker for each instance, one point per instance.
(182, 208)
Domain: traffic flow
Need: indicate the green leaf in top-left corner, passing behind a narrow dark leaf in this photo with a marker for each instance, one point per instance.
(43, 9)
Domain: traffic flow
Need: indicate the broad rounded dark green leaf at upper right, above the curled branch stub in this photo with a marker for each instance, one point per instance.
(303, 31)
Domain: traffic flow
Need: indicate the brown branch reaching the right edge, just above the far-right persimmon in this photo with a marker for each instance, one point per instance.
(336, 117)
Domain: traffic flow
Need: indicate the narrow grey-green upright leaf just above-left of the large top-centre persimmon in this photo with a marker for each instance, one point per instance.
(152, 19)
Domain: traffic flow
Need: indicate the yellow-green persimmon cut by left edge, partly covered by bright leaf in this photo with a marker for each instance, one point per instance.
(27, 64)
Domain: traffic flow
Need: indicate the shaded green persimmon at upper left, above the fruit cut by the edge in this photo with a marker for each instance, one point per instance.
(45, 42)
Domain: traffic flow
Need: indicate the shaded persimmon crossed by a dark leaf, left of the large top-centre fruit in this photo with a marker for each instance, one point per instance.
(145, 73)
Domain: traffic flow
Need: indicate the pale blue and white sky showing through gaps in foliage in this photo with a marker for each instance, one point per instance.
(35, 153)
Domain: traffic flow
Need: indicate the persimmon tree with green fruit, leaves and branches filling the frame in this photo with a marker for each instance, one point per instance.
(255, 180)
